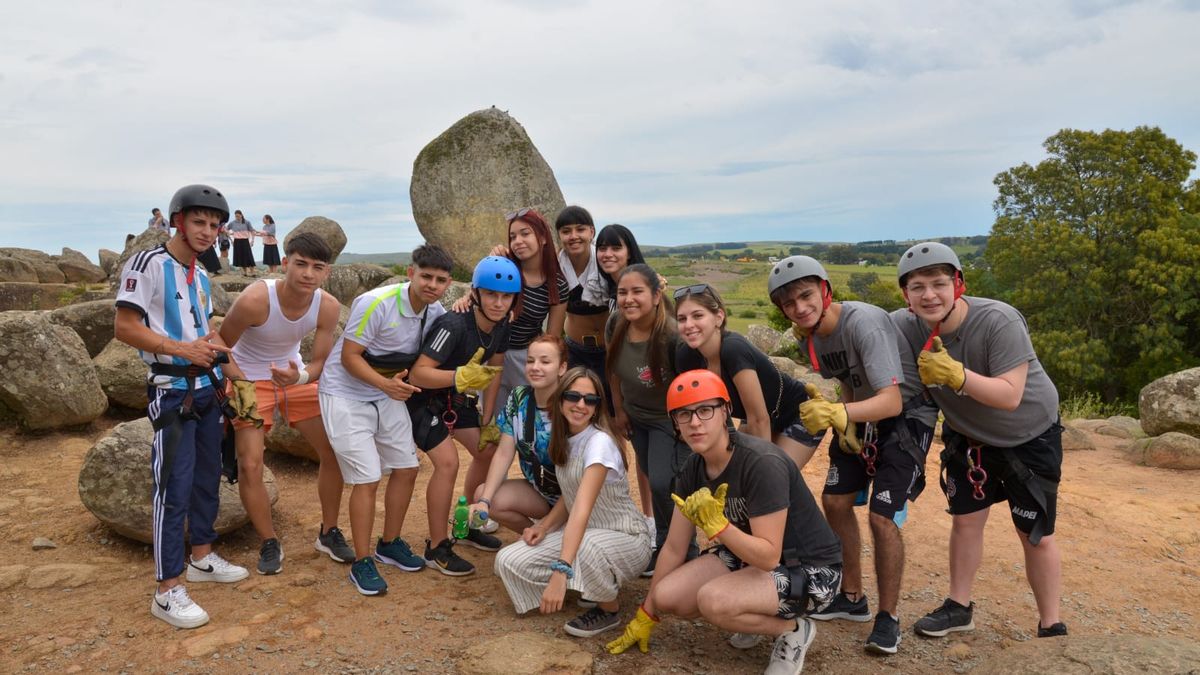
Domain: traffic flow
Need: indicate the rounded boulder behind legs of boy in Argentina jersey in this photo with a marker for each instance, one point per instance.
(117, 487)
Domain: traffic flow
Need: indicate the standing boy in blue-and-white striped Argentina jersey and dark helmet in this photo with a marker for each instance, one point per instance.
(164, 306)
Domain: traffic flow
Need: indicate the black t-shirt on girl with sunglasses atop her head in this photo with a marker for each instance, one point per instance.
(782, 395)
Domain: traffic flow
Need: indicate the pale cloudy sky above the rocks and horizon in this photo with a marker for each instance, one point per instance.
(687, 122)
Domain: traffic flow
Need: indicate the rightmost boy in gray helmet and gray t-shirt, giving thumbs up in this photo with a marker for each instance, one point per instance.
(1001, 416)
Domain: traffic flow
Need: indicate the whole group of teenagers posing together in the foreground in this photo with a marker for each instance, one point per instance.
(555, 360)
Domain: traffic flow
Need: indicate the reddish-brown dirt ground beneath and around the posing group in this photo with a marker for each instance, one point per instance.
(1129, 534)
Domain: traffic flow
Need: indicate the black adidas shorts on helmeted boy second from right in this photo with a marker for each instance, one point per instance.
(899, 479)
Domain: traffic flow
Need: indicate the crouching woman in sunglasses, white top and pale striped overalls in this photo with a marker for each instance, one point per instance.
(595, 540)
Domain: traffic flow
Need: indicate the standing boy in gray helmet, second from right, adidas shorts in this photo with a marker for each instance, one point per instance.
(884, 425)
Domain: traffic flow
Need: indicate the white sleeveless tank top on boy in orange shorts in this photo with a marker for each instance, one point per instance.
(278, 341)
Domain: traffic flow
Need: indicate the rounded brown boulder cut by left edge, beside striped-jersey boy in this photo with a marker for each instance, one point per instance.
(46, 375)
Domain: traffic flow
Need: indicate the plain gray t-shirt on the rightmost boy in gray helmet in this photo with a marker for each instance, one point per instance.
(992, 341)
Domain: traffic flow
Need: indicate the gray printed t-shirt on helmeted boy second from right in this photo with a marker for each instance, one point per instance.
(863, 354)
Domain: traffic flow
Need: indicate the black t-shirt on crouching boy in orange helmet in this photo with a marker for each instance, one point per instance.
(763, 481)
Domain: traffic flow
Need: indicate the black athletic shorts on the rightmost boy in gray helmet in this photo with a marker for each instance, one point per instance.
(1042, 456)
